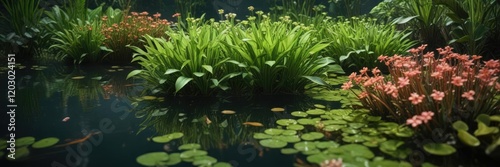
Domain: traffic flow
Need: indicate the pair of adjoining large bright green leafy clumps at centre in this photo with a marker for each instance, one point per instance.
(206, 57)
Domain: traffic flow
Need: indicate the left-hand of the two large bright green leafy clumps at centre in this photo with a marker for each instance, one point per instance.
(191, 61)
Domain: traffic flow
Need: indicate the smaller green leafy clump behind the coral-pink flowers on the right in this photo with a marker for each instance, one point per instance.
(358, 42)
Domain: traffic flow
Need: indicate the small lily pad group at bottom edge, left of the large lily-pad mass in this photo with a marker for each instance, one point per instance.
(188, 153)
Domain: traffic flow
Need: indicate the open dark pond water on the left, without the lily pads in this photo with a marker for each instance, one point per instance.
(46, 95)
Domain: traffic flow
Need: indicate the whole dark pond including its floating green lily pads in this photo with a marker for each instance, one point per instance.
(102, 119)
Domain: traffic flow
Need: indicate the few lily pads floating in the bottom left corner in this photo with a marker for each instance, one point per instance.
(23, 146)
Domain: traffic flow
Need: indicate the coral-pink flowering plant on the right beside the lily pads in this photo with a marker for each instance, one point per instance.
(440, 89)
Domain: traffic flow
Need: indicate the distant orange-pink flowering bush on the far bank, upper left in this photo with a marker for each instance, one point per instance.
(128, 31)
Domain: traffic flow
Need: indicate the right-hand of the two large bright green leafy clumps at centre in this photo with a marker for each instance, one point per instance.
(282, 61)
